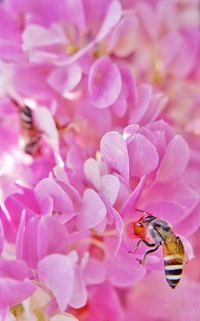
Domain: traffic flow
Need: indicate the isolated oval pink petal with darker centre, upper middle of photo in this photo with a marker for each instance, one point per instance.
(104, 83)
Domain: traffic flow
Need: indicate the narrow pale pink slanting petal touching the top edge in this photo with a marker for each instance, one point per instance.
(112, 17)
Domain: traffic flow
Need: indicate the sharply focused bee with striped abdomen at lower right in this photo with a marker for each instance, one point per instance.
(154, 233)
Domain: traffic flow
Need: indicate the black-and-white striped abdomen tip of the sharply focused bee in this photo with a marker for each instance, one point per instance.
(173, 265)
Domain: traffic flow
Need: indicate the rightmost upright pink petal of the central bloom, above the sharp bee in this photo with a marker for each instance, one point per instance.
(175, 160)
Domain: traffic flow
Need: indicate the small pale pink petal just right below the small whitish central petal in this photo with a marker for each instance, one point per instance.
(109, 188)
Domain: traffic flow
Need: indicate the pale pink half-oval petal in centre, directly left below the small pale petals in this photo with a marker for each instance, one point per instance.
(93, 210)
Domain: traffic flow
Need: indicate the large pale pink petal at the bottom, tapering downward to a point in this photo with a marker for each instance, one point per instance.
(56, 272)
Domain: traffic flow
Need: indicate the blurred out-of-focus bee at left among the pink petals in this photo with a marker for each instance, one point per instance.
(30, 135)
